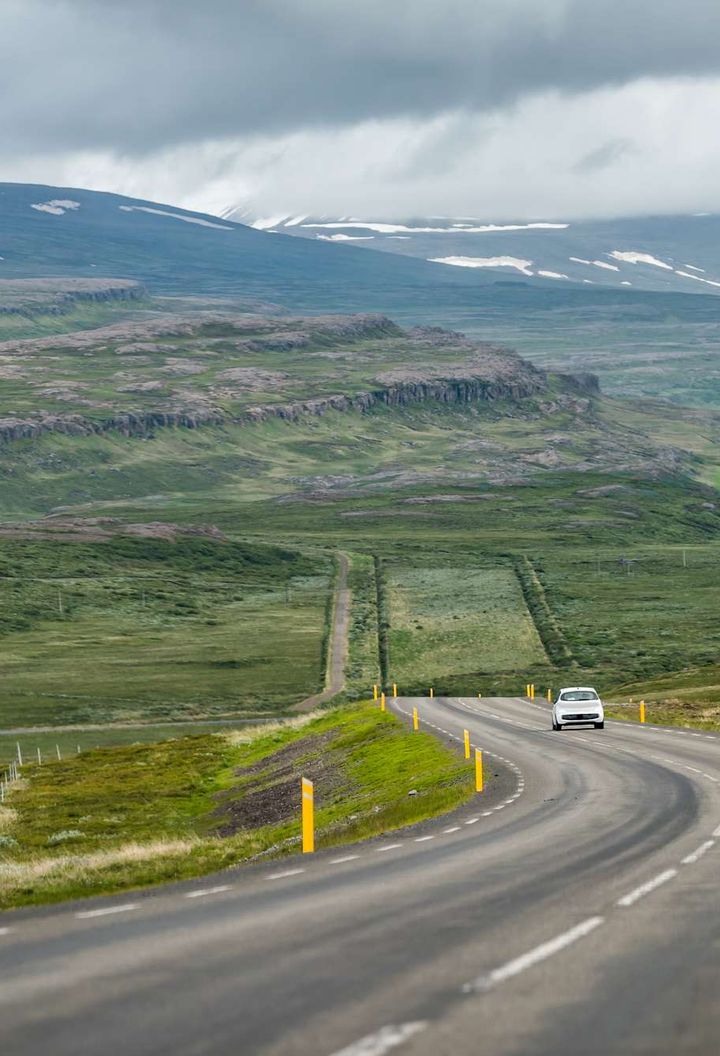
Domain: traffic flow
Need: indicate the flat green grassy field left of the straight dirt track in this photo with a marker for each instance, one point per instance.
(127, 630)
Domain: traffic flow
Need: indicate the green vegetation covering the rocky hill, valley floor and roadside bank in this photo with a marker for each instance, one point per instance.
(174, 499)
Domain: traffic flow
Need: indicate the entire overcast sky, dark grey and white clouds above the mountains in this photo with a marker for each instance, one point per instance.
(496, 109)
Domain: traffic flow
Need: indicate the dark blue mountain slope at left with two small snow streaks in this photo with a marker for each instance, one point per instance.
(68, 232)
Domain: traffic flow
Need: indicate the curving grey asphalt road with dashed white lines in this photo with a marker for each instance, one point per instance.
(573, 910)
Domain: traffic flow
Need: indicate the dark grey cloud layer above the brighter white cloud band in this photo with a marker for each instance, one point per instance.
(136, 78)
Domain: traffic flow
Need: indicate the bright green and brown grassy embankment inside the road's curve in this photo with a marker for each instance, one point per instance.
(83, 826)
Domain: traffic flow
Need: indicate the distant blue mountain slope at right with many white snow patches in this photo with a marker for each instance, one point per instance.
(665, 254)
